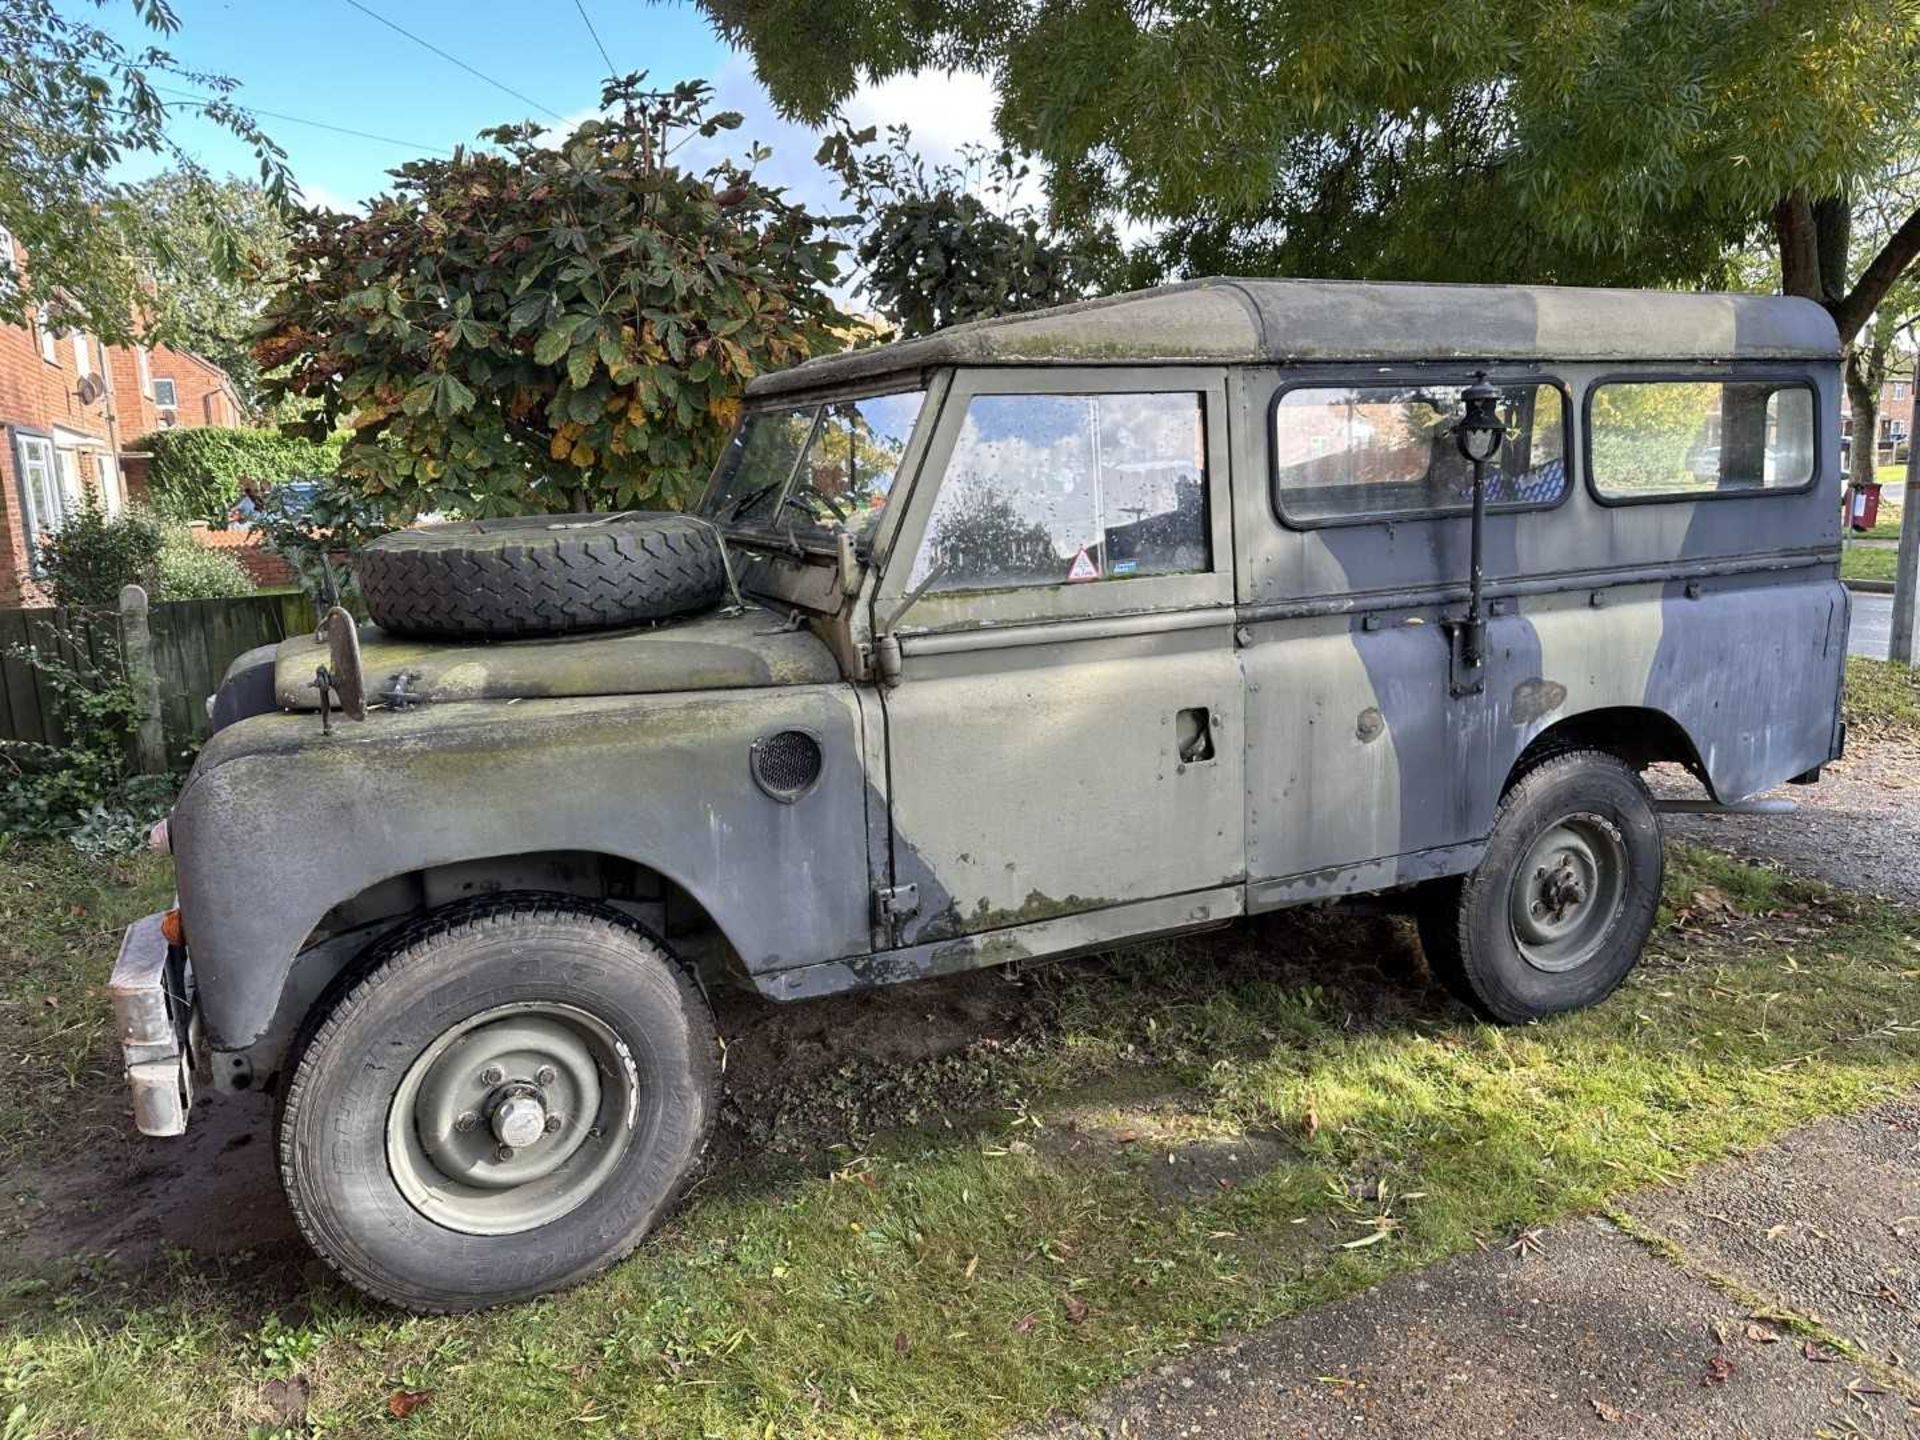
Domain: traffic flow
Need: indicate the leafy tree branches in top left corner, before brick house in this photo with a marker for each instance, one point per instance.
(78, 103)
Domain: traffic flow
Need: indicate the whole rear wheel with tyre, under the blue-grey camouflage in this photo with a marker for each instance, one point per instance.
(1564, 900)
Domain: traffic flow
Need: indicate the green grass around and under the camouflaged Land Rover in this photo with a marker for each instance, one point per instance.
(1180, 1141)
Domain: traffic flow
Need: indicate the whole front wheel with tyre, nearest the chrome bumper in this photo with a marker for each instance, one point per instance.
(502, 1105)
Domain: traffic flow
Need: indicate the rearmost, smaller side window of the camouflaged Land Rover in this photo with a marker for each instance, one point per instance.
(1685, 439)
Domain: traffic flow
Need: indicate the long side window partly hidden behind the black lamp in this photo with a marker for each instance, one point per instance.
(1385, 452)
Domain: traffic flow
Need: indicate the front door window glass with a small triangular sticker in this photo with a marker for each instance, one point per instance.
(1047, 491)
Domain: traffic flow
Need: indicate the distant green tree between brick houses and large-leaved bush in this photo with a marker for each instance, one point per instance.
(212, 252)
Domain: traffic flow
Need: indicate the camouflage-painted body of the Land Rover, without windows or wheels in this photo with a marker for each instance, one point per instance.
(1003, 771)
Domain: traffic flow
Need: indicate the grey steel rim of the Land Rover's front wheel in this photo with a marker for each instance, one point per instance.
(512, 1118)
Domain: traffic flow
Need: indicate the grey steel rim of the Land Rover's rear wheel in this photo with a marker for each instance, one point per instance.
(1570, 894)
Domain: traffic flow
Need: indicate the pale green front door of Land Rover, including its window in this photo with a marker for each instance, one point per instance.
(1063, 738)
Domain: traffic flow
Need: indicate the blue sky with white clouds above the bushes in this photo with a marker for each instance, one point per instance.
(331, 62)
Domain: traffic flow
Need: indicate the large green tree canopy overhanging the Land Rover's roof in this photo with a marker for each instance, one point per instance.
(1581, 141)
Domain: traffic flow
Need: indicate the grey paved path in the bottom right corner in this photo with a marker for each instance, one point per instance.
(1687, 1316)
